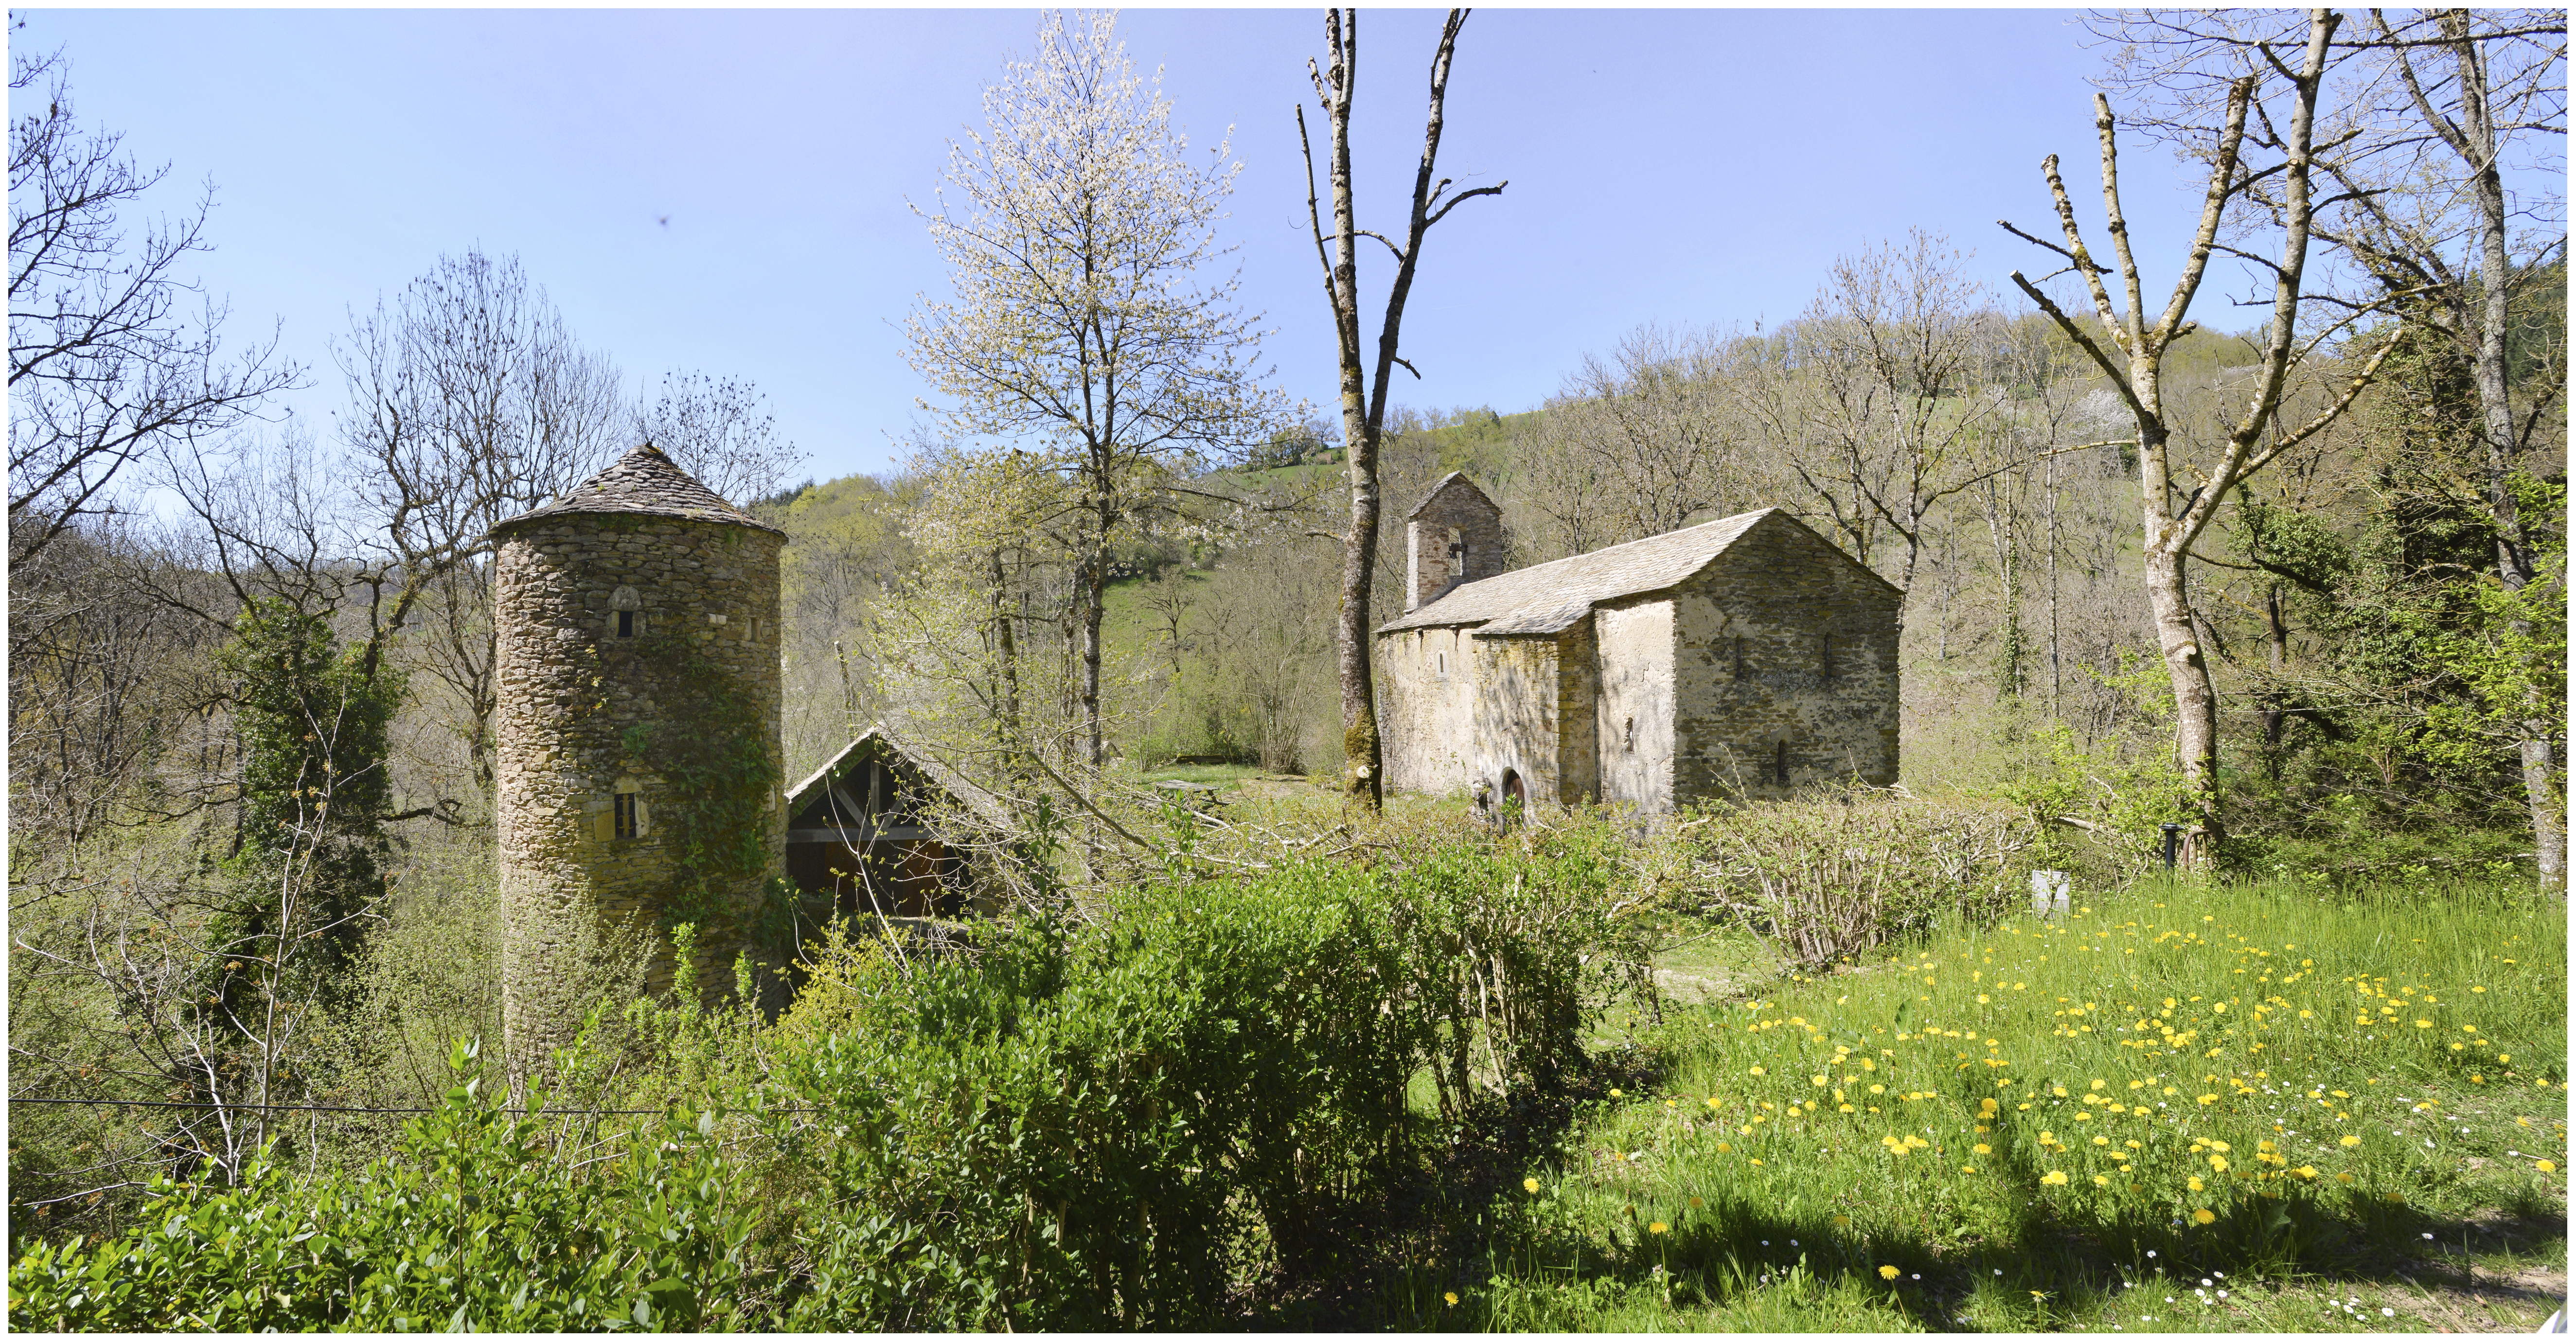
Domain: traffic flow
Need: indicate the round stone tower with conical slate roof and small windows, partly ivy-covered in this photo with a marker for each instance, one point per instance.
(638, 735)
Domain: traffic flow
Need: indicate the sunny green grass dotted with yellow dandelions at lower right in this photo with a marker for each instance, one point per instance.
(2121, 1052)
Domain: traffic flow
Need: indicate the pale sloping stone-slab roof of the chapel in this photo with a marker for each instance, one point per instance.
(1549, 599)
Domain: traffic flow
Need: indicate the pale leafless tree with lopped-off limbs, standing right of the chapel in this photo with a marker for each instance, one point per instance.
(2124, 331)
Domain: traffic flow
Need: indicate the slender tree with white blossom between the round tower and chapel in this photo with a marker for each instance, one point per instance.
(1081, 316)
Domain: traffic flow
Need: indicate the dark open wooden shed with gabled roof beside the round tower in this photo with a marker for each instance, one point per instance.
(859, 838)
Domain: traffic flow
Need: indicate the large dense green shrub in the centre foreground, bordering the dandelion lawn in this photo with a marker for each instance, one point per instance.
(1109, 1127)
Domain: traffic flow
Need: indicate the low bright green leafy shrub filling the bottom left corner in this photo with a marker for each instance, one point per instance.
(483, 1222)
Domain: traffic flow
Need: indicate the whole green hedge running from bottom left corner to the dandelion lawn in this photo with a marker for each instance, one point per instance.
(1075, 1127)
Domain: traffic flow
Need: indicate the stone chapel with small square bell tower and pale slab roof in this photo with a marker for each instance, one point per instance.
(1732, 658)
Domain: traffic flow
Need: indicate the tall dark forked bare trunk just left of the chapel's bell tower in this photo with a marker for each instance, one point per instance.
(1364, 393)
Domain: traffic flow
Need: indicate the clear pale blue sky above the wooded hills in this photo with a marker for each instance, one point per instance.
(1665, 166)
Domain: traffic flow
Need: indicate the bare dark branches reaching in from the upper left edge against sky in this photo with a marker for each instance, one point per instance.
(104, 359)
